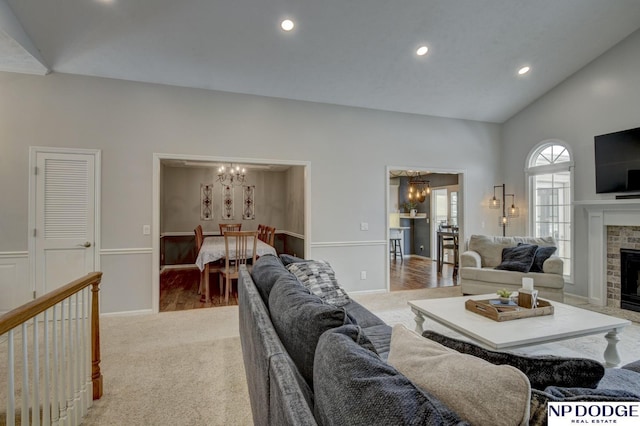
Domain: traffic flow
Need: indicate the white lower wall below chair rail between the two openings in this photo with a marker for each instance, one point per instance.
(350, 258)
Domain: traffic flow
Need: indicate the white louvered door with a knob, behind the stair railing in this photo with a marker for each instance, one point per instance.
(65, 216)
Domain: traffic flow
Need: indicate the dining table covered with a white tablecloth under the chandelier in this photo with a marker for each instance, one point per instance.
(213, 250)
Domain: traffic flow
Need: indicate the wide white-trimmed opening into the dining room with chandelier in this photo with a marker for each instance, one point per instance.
(179, 206)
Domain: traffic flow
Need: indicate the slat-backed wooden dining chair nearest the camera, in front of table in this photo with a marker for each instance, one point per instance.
(240, 246)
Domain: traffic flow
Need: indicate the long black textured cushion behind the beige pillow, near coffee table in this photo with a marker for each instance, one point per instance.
(542, 371)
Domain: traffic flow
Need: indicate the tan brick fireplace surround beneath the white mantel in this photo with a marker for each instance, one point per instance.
(618, 237)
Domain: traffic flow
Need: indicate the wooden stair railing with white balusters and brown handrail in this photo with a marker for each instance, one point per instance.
(70, 373)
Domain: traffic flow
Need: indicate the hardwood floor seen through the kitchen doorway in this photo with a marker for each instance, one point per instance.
(417, 272)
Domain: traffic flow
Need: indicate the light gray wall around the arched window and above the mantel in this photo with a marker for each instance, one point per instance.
(603, 97)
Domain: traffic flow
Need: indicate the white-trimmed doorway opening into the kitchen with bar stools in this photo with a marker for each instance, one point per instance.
(439, 201)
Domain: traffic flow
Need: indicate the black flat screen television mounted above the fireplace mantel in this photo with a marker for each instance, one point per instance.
(618, 161)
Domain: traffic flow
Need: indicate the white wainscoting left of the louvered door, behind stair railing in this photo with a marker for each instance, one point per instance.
(15, 289)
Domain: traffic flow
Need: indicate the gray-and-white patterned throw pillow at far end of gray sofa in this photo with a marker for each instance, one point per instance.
(319, 278)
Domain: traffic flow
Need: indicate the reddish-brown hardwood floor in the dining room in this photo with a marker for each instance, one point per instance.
(179, 291)
